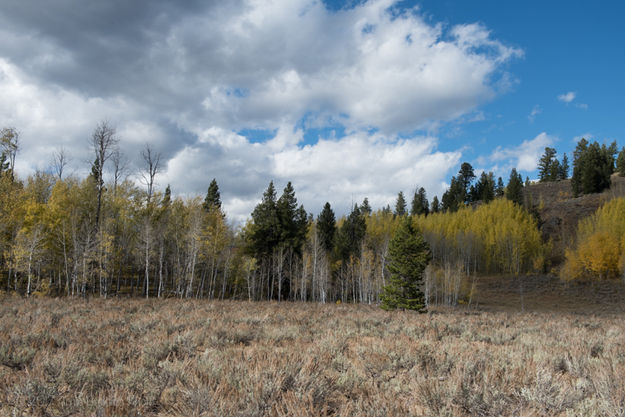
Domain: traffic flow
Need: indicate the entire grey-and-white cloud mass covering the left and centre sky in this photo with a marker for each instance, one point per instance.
(186, 76)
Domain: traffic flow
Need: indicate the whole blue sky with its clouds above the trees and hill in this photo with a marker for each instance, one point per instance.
(346, 99)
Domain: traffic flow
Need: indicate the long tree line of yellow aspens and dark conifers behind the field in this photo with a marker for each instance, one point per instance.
(105, 235)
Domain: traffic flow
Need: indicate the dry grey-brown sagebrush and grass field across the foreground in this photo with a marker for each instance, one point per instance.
(198, 358)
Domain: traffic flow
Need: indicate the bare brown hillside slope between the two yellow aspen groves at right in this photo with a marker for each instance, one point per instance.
(559, 212)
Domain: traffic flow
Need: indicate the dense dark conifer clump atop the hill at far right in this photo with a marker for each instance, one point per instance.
(592, 167)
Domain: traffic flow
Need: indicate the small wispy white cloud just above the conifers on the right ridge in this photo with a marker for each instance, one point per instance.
(525, 156)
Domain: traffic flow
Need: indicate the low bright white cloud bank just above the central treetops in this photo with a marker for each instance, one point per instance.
(334, 170)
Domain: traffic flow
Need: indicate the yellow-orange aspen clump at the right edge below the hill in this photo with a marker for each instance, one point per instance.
(600, 249)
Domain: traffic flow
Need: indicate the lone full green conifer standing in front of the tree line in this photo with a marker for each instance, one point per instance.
(409, 255)
